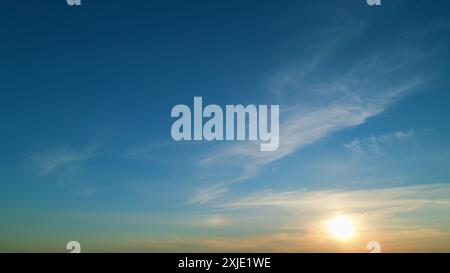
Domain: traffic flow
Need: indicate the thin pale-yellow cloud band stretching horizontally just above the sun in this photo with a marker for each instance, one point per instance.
(383, 202)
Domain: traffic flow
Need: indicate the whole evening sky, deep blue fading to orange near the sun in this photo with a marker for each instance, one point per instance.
(86, 94)
